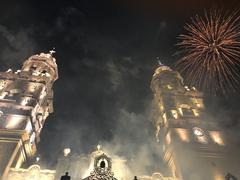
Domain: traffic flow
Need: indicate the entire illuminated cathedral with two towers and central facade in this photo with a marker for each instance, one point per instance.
(193, 145)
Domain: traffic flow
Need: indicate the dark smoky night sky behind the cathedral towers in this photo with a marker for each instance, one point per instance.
(106, 55)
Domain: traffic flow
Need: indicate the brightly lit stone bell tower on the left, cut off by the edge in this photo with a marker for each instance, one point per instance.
(26, 99)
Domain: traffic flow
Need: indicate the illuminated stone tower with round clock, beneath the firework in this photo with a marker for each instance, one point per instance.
(194, 147)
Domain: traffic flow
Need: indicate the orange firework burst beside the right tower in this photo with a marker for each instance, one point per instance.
(211, 51)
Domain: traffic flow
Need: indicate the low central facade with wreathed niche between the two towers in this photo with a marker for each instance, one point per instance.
(88, 166)
